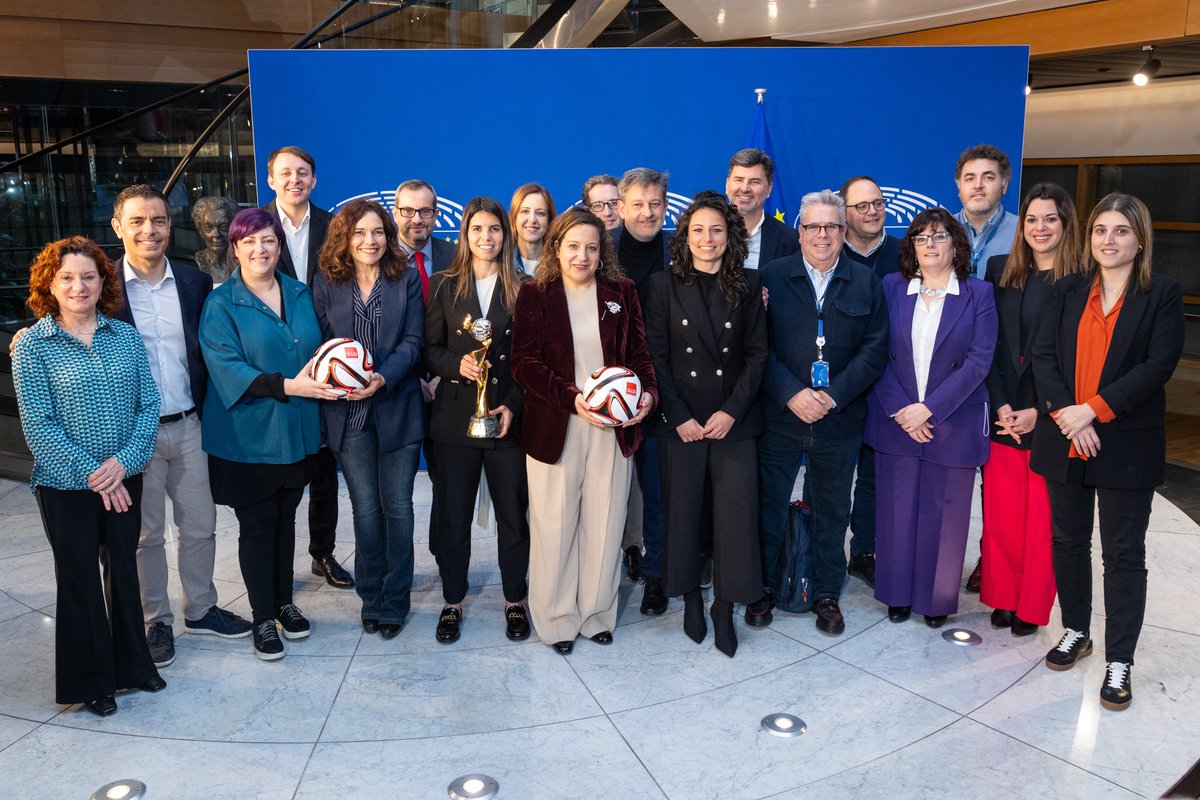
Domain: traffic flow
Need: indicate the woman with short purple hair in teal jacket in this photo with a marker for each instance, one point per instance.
(261, 425)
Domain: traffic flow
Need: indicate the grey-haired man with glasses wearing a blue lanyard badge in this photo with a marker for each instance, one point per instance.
(829, 328)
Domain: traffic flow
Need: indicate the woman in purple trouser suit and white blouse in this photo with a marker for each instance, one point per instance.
(928, 418)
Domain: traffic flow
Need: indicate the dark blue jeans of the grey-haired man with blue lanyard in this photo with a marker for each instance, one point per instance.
(830, 476)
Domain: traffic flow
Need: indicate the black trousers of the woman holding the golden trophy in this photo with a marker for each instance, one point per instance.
(455, 471)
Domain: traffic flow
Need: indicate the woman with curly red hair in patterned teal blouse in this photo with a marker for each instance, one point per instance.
(89, 410)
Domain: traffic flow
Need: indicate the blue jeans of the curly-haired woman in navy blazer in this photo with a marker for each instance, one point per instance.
(381, 486)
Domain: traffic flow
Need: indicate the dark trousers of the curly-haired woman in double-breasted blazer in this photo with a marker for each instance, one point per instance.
(733, 468)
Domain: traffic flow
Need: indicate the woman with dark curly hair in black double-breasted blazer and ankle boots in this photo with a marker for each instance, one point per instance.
(707, 332)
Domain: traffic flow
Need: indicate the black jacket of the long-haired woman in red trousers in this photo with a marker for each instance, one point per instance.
(1011, 378)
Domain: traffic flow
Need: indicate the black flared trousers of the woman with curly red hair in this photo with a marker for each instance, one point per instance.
(100, 642)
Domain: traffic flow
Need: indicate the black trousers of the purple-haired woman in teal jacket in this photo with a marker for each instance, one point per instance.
(267, 546)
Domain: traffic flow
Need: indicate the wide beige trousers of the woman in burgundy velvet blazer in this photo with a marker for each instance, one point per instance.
(577, 520)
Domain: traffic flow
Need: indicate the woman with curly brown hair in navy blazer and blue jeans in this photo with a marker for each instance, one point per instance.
(367, 292)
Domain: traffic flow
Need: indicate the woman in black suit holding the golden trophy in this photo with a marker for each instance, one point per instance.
(476, 413)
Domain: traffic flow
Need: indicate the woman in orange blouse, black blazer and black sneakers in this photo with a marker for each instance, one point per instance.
(1111, 342)
